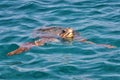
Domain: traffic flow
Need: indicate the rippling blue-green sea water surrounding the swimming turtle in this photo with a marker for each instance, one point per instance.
(96, 20)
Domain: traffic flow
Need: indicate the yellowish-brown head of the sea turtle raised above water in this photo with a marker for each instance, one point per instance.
(67, 33)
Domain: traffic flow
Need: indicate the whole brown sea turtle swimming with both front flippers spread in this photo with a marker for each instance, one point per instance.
(54, 34)
